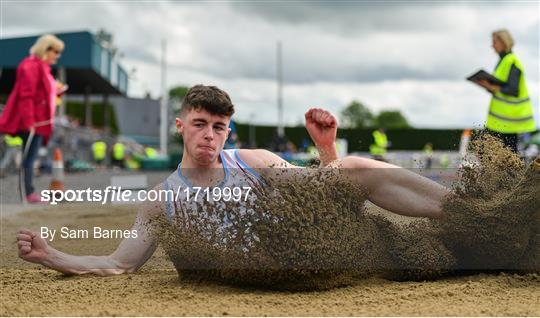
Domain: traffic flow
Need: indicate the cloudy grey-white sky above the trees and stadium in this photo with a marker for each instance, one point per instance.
(407, 55)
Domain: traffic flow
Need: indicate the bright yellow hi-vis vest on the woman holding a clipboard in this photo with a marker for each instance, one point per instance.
(510, 114)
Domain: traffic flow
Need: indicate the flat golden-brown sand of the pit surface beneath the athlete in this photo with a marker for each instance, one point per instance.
(29, 289)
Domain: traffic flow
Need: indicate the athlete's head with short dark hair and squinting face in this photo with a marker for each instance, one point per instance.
(204, 122)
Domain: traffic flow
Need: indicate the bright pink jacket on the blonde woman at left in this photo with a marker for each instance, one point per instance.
(29, 104)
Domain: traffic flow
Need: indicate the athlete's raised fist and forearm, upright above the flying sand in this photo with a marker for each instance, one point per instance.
(322, 128)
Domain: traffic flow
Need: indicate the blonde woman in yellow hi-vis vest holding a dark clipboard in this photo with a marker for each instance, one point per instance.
(510, 110)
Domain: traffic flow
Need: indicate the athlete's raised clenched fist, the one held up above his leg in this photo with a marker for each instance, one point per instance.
(322, 127)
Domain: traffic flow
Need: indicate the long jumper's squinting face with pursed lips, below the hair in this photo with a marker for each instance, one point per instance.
(204, 135)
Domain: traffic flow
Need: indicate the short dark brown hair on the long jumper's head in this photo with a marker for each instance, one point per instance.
(208, 98)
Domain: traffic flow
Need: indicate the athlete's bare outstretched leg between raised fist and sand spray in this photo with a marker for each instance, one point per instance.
(396, 189)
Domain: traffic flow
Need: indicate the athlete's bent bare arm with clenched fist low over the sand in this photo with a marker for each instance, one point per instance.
(130, 255)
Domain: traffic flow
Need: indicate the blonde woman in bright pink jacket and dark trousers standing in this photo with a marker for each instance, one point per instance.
(29, 111)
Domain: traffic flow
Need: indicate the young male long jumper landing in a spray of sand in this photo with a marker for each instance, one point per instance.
(203, 124)
